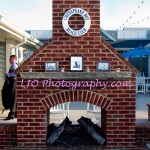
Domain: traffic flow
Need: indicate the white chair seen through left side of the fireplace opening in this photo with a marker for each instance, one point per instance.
(59, 112)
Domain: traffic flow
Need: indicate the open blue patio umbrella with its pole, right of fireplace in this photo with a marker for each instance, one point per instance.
(137, 52)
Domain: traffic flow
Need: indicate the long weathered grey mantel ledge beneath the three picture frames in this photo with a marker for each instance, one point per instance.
(122, 76)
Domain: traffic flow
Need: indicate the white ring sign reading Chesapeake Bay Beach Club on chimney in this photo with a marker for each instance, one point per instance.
(87, 22)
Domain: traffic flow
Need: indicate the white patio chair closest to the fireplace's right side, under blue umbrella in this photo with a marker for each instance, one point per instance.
(140, 85)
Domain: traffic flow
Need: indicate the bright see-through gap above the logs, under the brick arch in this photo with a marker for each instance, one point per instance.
(74, 110)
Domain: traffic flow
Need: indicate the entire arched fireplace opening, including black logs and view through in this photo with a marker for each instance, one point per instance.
(75, 124)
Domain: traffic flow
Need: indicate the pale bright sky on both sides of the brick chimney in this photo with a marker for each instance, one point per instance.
(37, 15)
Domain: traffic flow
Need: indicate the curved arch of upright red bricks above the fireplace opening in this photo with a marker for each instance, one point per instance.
(74, 96)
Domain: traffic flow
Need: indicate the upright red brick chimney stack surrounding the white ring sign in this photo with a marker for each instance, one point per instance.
(92, 7)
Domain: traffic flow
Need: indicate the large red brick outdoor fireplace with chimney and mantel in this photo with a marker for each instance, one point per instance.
(34, 99)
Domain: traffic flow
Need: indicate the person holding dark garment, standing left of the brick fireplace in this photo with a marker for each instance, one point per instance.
(9, 89)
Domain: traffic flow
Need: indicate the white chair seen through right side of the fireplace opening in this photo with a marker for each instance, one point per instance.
(94, 113)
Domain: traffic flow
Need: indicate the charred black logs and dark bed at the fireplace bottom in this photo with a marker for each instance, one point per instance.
(86, 133)
